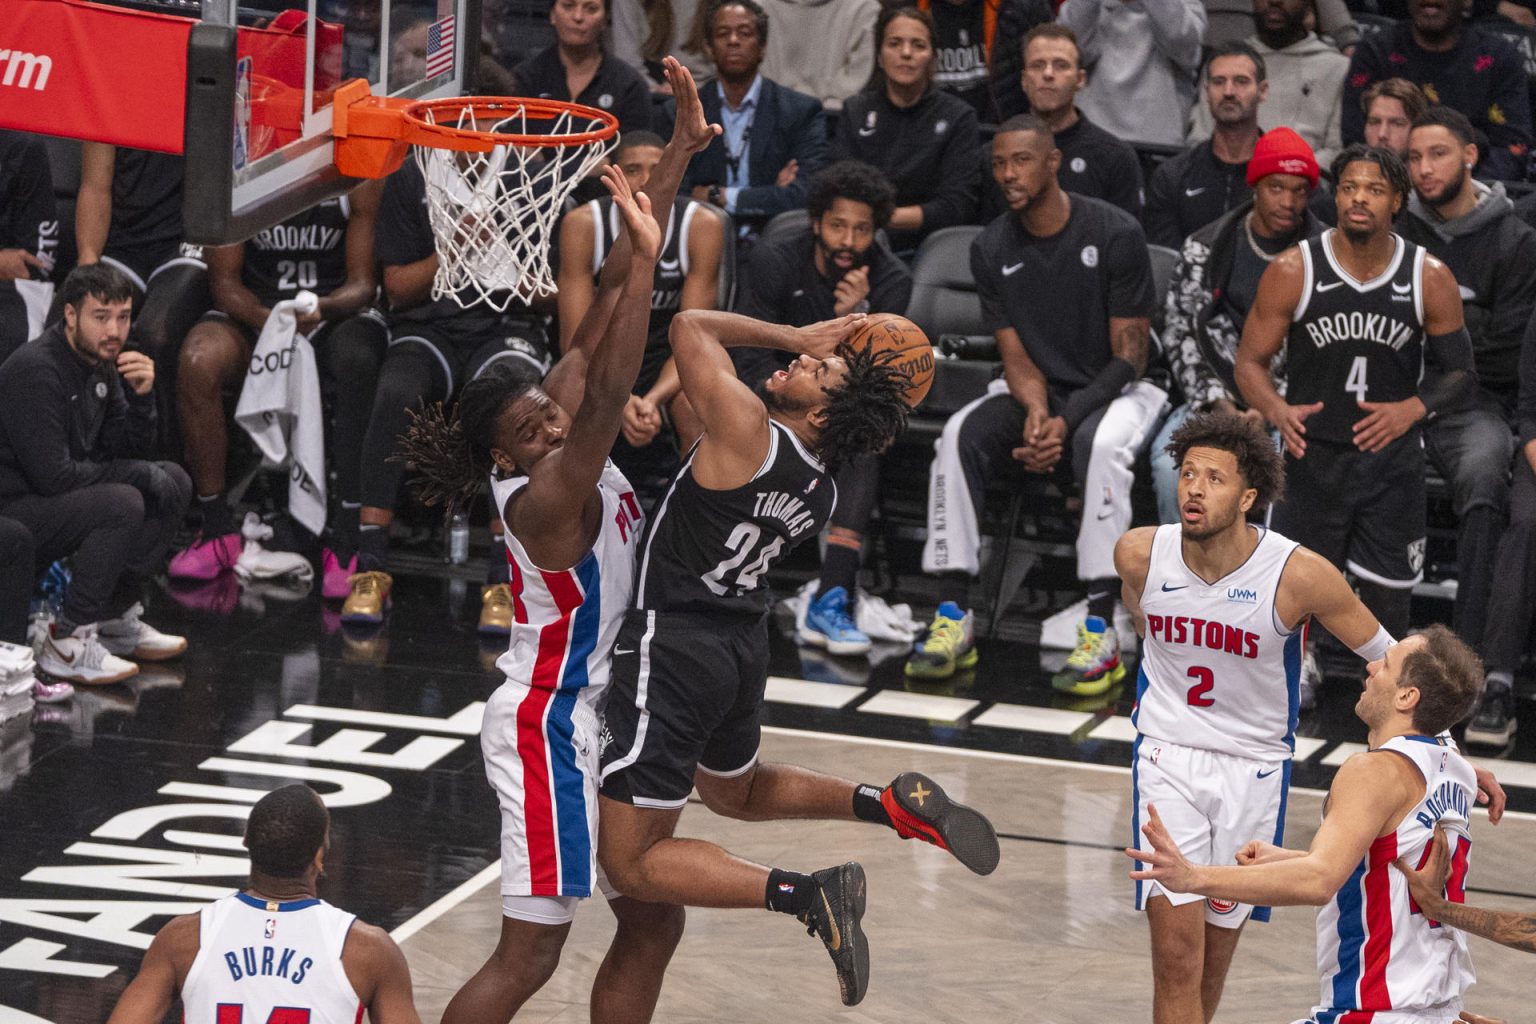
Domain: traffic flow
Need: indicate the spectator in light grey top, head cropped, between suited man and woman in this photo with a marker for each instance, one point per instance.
(823, 48)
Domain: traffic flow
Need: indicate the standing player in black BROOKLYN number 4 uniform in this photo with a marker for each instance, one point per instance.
(1359, 309)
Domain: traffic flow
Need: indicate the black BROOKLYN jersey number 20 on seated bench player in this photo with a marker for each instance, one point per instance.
(303, 254)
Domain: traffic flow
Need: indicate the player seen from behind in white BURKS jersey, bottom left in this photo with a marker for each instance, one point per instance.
(274, 953)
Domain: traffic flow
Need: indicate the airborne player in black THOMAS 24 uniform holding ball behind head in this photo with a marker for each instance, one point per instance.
(692, 659)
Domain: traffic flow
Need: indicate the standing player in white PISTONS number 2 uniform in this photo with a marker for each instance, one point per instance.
(1220, 606)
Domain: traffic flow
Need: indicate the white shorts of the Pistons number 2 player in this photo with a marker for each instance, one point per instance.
(1213, 805)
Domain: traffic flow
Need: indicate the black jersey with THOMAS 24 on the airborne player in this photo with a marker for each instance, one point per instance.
(709, 550)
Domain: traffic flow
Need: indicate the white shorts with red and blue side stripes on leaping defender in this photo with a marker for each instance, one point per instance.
(541, 759)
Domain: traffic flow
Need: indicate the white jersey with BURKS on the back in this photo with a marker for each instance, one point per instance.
(271, 963)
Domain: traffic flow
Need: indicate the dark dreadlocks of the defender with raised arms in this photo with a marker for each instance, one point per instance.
(452, 452)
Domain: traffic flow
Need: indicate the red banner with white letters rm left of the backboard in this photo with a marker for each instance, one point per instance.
(88, 71)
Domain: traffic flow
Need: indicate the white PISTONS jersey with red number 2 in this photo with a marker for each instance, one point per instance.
(1219, 670)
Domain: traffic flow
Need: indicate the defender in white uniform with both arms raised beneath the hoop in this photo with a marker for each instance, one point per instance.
(574, 527)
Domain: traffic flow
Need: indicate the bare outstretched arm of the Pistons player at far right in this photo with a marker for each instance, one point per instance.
(1368, 791)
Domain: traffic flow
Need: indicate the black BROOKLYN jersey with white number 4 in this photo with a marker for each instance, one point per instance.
(1354, 342)
